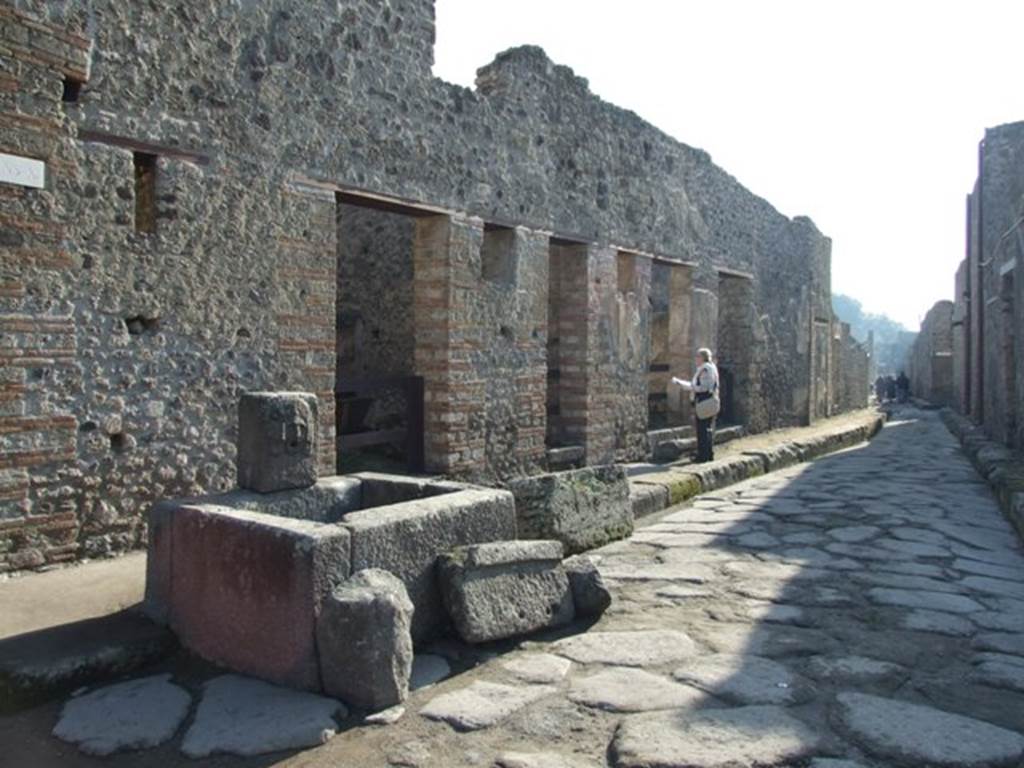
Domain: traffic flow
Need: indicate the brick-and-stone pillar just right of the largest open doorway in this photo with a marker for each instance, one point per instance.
(446, 259)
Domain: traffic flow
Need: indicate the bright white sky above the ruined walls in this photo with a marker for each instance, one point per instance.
(864, 115)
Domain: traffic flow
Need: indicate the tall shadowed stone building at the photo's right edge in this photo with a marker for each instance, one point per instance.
(989, 312)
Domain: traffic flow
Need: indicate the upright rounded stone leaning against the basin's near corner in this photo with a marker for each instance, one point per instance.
(365, 643)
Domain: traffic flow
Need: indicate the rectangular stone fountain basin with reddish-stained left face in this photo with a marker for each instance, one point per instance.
(240, 577)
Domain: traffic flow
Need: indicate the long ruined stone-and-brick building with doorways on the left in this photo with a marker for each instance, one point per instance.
(275, 196)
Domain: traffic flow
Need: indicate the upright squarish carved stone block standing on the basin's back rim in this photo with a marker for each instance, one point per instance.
(278, 440)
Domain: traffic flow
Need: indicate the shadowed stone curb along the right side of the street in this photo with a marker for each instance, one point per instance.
(1002, 468)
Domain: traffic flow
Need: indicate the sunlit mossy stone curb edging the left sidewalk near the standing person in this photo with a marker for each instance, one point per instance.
(658, 491)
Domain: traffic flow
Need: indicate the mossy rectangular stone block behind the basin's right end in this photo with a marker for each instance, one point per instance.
(583, 508)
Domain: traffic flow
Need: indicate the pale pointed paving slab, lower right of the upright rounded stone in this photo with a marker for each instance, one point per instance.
(482, 704)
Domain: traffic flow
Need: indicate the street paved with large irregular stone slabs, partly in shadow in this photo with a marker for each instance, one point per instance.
(867, 608)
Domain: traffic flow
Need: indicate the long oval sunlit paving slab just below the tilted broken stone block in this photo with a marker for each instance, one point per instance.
(638, 649)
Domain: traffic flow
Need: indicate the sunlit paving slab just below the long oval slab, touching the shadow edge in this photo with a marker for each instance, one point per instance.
(626, 690)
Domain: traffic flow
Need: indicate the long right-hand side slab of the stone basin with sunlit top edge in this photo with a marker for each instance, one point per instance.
(407, 539)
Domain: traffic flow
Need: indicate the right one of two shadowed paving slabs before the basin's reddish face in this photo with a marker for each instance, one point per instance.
(242, 716)
